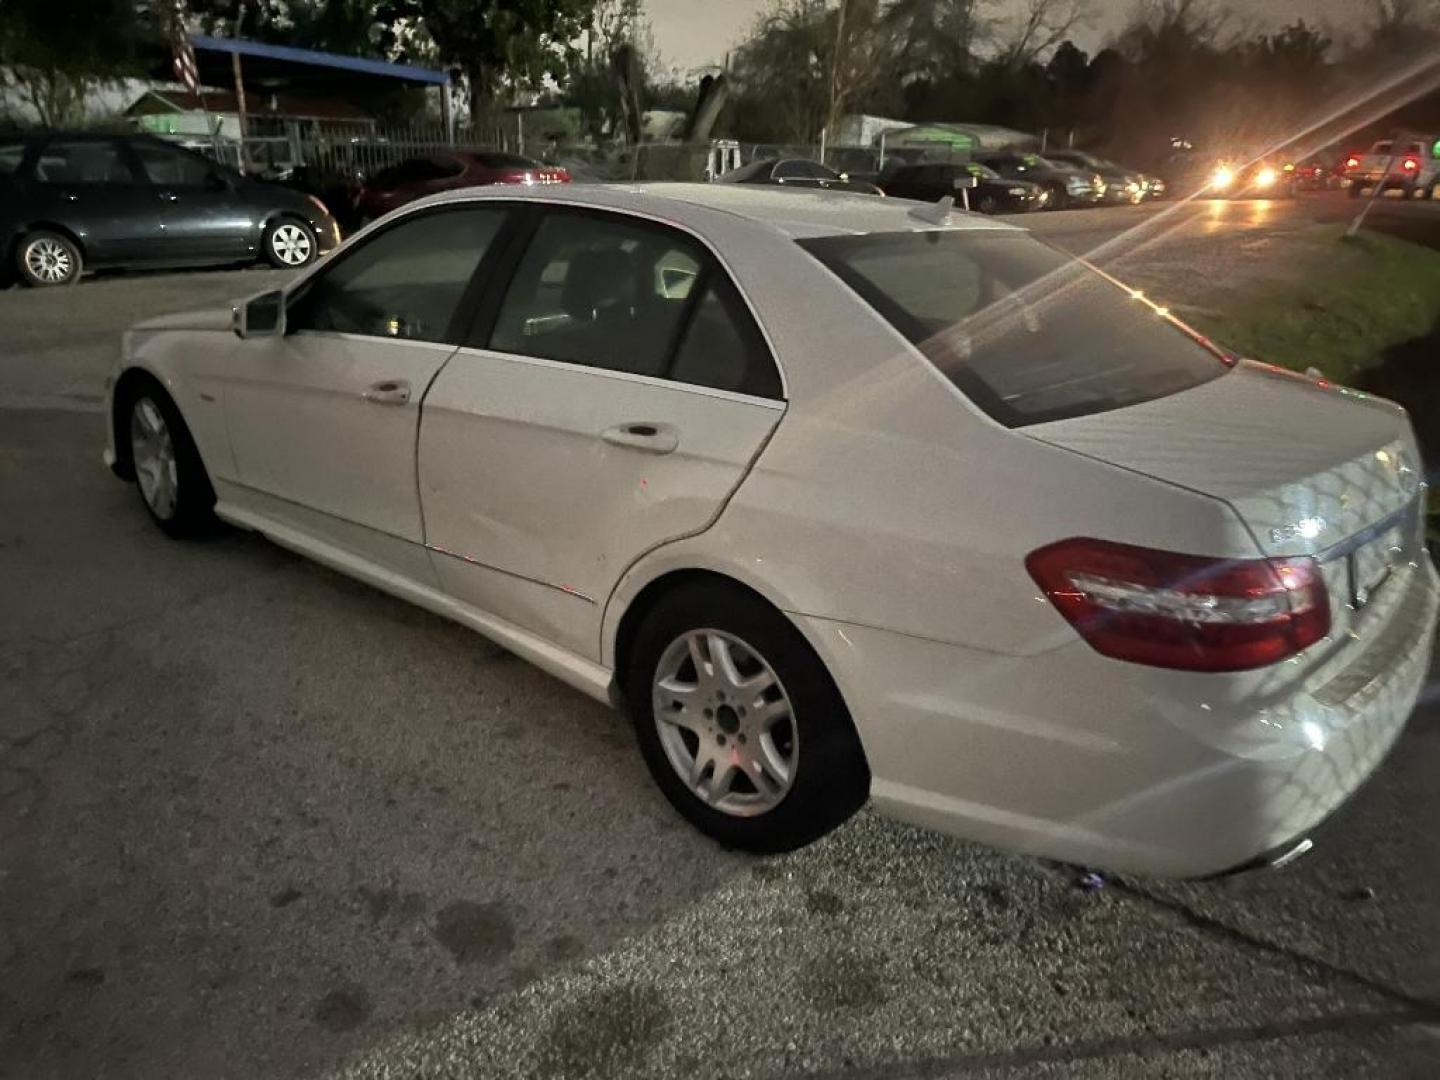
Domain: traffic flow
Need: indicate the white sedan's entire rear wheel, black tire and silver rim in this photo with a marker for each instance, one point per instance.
(739, 722)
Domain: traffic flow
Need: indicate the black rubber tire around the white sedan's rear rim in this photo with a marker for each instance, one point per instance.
(832, 780)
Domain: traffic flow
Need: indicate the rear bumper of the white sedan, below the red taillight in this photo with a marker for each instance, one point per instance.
(1091, 761)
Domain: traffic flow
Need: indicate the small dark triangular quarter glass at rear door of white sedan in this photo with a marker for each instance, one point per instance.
(724, 348)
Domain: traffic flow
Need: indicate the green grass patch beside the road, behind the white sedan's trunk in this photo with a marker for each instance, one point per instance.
(1340, 309)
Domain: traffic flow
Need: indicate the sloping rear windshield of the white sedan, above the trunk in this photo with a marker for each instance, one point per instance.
(1026, 332)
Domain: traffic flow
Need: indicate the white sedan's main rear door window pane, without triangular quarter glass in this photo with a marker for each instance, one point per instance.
(600, 292)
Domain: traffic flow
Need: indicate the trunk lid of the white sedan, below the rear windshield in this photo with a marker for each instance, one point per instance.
(1308, 466)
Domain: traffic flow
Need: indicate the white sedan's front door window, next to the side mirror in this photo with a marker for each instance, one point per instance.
(404, 283)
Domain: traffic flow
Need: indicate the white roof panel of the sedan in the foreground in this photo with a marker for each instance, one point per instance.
(797, 214)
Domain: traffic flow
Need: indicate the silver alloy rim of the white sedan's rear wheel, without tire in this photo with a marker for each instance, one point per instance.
(725, 722)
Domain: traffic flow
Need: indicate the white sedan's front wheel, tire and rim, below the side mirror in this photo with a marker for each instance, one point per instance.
(169, 473)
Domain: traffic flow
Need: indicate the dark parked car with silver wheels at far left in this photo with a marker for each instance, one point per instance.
(74, 202)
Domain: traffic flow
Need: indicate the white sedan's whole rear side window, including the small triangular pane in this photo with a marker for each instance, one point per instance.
(629, 296)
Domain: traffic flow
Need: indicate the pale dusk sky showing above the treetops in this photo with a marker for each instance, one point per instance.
(693, 34)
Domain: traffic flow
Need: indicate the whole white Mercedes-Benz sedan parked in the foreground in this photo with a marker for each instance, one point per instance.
(840, 499)
